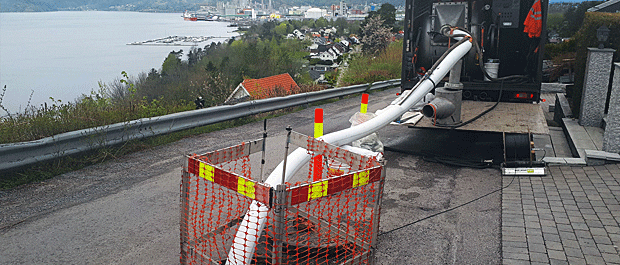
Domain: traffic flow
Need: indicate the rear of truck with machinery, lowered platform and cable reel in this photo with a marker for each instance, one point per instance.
(503, 72)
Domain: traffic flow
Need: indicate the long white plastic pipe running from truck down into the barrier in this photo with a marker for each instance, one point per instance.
(254, 221)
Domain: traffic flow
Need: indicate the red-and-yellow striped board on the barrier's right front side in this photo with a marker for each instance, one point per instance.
(334, 185)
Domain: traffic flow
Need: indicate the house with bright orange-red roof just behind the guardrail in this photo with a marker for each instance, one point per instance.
(262, 88)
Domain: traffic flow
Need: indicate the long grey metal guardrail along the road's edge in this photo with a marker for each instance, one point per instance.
(16, 155)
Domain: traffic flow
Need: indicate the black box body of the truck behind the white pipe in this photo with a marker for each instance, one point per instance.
(497, 26)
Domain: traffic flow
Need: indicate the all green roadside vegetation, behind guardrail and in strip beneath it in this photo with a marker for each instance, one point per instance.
(211, 72)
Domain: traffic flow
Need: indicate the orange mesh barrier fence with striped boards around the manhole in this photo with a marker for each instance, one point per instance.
(333, 220)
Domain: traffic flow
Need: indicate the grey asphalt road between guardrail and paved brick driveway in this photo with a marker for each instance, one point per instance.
(126, 211)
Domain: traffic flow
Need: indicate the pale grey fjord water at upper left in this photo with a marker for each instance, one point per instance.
(65, 54)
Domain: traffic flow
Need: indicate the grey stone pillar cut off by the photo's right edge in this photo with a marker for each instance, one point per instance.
(611, 137)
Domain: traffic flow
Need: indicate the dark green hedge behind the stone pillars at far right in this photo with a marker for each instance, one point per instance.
(586, 37)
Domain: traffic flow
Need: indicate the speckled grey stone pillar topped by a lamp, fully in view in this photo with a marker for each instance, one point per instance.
(594, 94)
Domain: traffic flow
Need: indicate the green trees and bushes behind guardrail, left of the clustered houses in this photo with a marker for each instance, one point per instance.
(211, 73)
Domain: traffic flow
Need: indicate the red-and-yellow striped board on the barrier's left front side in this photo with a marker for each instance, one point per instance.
(234, 182)
